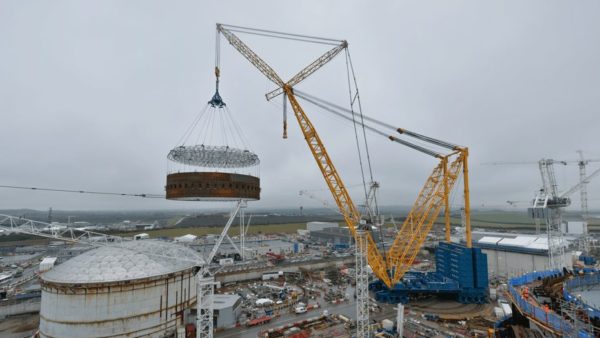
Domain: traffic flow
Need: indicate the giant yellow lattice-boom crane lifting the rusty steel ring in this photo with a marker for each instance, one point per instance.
(433, 196)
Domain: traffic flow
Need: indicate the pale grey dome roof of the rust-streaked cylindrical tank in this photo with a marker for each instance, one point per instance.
(129, 260)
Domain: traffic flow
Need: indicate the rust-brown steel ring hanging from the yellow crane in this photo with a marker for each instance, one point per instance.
(202, 186)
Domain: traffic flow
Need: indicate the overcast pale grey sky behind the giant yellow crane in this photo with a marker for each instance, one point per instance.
(94, 94)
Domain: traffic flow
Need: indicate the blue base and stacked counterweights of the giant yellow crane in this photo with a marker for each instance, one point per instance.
(461, 271)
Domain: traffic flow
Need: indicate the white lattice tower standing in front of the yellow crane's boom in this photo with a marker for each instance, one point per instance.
(362, 286)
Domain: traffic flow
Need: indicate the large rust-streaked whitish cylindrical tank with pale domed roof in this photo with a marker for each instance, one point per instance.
(130, 291)
